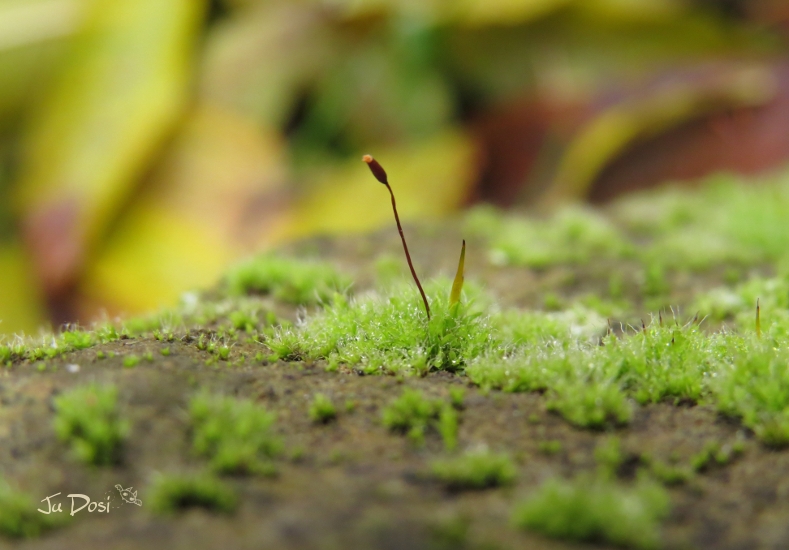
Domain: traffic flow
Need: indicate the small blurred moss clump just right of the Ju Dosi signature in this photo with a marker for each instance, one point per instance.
(173, 493)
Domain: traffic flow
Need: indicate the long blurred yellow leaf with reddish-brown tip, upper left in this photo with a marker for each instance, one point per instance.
(121, 90)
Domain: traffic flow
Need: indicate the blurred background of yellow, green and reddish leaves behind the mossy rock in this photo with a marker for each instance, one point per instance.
(146, 144)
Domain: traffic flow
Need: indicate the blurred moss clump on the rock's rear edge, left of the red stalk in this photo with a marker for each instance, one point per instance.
(287, 279)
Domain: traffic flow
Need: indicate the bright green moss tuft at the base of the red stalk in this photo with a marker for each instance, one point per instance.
(389, 334)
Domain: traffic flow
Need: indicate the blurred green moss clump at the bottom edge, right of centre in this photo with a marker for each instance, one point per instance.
(596, 510)
